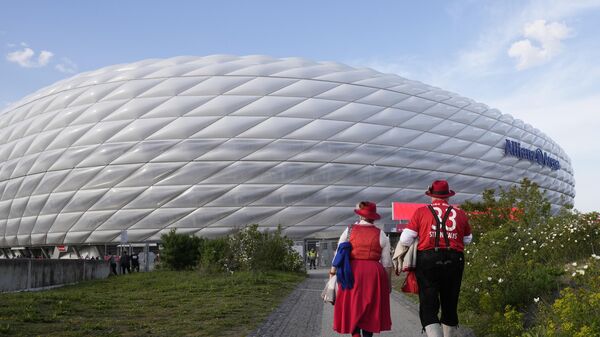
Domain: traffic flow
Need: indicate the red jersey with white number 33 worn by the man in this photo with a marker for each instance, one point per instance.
(424, 224)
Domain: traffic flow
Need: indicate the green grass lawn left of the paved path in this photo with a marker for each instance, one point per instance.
(162, 303)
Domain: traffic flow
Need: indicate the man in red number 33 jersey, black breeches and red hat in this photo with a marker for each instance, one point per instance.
(442, 231)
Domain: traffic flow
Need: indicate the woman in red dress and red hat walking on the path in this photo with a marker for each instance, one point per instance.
(365, 306)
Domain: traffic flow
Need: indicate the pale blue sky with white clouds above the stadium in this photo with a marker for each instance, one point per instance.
(537, 60)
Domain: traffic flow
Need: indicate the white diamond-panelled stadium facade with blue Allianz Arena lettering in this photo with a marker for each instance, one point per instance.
(210, 144)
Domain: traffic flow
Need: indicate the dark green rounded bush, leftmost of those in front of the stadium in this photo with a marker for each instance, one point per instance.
(180, 251)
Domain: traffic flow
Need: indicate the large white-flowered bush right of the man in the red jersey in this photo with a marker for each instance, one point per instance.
(518, 259)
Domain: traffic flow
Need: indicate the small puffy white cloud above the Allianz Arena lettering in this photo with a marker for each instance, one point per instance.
(549, 37)
